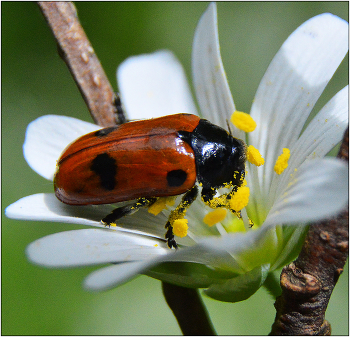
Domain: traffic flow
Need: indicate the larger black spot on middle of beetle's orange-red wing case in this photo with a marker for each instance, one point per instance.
(106, 168)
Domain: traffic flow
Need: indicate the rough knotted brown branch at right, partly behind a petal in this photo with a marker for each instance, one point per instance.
(308, 282)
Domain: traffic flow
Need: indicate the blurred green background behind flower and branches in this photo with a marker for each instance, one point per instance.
(35, 81)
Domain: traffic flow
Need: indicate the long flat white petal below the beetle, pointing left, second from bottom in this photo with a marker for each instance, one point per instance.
(93, 246)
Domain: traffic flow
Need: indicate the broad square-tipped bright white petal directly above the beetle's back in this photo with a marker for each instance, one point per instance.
(154, 85)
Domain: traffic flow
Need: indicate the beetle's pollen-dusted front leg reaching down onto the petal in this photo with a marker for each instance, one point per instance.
(178, 213)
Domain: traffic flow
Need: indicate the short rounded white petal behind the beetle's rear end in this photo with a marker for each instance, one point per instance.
(46, 138)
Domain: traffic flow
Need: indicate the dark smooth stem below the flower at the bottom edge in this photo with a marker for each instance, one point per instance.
(189, 310)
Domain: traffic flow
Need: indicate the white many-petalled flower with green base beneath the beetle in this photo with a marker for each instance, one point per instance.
(231, 265)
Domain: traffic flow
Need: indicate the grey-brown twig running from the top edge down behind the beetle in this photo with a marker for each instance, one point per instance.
(77, 52)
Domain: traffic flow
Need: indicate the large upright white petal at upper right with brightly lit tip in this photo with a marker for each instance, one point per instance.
(292, 84)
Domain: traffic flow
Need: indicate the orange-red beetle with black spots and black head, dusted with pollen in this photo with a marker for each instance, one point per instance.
(148, 159)
